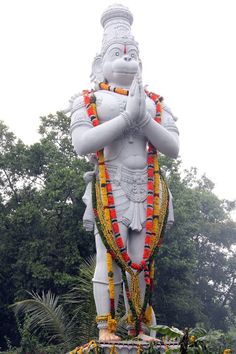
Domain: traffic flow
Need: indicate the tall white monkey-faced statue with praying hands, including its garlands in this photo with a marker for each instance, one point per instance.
(120, 126)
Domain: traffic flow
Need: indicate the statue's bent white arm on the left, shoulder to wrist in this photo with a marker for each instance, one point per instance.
(87, 139)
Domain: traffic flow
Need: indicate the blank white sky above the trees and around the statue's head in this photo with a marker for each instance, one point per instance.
(188, 52)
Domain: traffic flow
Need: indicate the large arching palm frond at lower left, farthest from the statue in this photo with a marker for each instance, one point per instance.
(44, 311)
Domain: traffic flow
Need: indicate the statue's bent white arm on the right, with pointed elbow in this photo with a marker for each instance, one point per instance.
(165, 136)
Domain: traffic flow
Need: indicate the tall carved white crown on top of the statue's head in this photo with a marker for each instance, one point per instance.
(116, 21)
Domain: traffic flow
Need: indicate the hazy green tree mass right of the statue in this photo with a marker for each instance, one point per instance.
(196, 265)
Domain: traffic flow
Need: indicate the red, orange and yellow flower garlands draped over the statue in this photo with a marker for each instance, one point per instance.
(106, 219)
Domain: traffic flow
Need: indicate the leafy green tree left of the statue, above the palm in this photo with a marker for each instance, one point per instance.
(42, 239)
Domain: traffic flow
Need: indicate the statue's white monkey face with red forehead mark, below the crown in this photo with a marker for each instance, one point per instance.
(120, 64)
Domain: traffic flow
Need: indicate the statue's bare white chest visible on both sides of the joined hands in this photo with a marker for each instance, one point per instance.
(110, 105)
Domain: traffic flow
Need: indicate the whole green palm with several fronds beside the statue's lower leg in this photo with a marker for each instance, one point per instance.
(66, 321)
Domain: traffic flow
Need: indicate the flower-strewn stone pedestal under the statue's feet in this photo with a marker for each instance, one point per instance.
(132, 347)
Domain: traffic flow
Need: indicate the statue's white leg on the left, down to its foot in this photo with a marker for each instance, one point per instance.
(100, 286)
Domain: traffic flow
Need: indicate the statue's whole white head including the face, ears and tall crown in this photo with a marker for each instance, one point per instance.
(119, 60)
